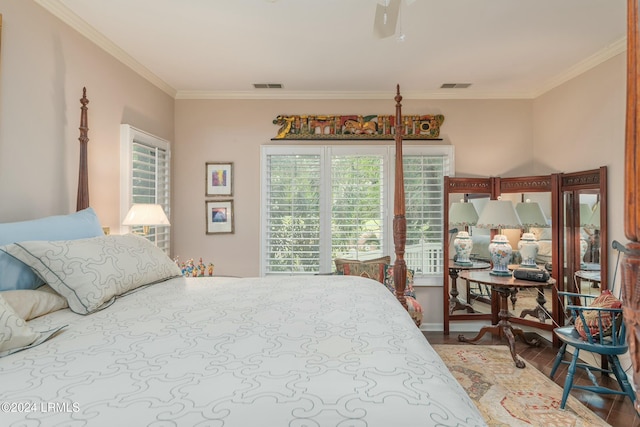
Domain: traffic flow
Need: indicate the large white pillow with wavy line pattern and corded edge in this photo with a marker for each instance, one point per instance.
(90, 273)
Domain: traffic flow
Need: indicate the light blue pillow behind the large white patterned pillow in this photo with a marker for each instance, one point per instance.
(16, 275)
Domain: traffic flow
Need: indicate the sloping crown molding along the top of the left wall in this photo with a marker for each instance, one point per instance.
(74, 21)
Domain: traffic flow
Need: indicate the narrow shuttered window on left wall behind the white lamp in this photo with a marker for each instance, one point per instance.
(145, 162)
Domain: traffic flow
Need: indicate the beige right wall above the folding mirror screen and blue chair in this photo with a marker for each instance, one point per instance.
(580, 126)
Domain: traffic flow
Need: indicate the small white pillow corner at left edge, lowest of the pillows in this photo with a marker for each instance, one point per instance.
(15, 333)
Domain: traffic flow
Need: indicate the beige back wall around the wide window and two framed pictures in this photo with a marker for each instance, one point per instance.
(486, 134)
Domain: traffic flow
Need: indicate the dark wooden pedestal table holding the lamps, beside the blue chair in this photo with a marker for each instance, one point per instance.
(504, 287)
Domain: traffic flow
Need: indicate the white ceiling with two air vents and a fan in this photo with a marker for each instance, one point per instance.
(327, 49)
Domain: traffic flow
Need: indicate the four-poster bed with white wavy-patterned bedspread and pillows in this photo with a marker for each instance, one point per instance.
(116, 335)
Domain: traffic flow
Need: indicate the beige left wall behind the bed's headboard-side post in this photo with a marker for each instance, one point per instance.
(44, 66)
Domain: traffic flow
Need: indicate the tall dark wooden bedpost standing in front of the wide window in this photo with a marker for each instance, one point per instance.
(399, 219)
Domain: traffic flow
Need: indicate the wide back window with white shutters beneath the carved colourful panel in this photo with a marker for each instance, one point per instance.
(322, 203)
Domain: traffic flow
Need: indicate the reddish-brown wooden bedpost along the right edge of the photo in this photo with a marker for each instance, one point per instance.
(631, 260)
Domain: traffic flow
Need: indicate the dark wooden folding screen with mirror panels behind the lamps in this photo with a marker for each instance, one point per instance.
(573, 248)
